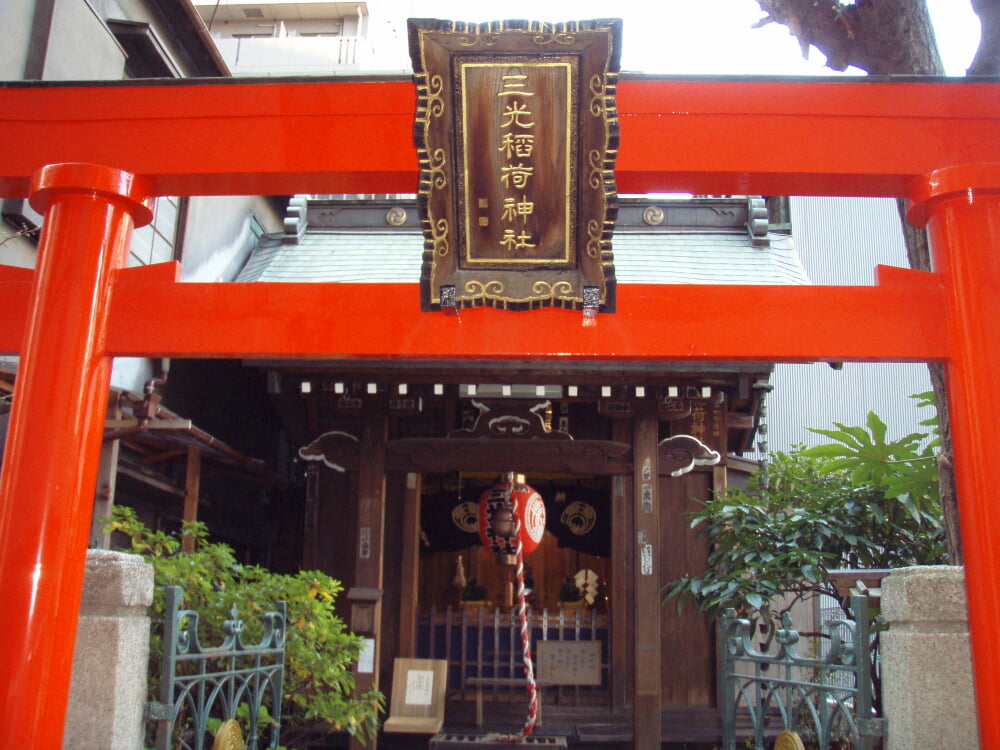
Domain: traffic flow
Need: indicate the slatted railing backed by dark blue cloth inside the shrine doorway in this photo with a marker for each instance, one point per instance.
(486, 643)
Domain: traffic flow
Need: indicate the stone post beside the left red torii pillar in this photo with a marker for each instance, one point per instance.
(111, 659)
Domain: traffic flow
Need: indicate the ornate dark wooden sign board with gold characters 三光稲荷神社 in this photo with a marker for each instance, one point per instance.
(517, 135)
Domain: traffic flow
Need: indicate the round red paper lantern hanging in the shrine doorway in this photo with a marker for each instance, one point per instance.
(511, 512)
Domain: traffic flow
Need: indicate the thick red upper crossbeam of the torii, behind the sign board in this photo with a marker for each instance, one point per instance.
(843, 136)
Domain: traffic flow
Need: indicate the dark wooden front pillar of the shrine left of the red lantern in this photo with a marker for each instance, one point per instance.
(369, 552)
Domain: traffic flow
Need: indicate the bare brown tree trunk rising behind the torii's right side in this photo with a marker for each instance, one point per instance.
(895, 37)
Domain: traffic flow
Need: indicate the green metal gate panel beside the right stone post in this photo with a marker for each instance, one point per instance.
(827, 699)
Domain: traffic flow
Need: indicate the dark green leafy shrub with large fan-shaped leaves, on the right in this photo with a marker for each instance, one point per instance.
(860, 502)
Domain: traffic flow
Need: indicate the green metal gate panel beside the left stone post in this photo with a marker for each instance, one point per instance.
(199, 684)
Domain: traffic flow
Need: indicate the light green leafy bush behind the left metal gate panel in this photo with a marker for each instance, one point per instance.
(319, 650)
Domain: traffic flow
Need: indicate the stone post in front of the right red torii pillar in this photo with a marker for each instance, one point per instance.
(928, 696)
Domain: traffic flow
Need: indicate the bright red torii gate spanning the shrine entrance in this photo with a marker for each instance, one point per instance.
(937, 143)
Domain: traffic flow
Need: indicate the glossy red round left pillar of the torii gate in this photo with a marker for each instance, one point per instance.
(62, 384)
